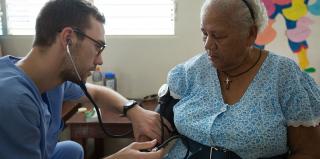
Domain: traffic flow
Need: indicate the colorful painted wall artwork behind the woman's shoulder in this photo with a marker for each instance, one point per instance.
(296, 15)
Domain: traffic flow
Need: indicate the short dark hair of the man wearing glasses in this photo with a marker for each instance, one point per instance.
(58, 14)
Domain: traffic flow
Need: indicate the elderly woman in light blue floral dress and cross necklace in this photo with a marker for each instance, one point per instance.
(238, 101)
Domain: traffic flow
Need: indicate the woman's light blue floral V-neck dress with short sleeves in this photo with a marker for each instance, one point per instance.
(279, 96)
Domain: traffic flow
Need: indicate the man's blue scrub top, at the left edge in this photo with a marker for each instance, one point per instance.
(30, 122)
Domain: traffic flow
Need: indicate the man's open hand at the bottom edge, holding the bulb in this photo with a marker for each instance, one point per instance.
(132, 151)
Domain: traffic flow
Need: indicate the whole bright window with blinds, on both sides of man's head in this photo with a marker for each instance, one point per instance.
(123, 17)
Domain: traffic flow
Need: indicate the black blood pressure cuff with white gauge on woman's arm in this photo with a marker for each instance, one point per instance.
(166, 103)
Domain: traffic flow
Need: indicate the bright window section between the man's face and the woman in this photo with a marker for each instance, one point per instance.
(138, 17)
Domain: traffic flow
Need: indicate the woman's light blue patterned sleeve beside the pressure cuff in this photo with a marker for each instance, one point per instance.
(177, 81)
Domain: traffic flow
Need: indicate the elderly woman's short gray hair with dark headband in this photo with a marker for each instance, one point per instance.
(242, 14)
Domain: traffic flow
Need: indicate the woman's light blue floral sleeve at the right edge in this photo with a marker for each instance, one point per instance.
(299, 97)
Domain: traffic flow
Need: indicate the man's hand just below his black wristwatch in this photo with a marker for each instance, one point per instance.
(146, 124)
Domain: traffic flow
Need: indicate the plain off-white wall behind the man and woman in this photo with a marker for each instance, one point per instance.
(141, 63)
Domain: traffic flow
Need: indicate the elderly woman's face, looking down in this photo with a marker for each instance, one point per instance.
(225, 43)
